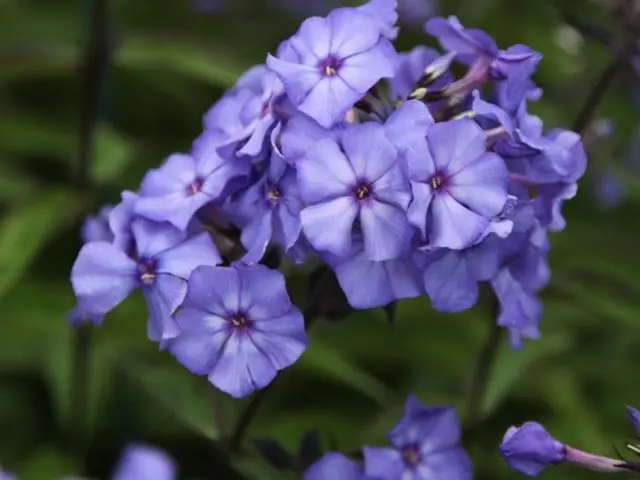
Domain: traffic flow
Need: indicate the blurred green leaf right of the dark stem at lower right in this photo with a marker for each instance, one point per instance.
(511, 366)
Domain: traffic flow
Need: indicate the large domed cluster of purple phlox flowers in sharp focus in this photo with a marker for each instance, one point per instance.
(405, 179)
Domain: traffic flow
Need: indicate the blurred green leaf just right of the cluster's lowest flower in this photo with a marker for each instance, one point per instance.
(331, 363)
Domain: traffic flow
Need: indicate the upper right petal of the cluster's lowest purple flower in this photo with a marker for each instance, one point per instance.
(263, 294)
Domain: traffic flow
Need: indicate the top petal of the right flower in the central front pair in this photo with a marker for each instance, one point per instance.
(455, 144)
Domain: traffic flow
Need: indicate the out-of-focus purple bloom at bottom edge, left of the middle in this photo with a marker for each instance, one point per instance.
(142, 462)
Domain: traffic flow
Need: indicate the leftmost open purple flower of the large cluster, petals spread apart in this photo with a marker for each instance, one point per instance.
(103, 275)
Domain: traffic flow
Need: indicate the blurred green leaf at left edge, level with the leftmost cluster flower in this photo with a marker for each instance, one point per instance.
(27, 228)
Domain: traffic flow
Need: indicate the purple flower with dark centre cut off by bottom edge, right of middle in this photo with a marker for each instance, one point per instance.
(424, 447)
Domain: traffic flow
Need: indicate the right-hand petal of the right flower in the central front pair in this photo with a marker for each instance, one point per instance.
(482, 185)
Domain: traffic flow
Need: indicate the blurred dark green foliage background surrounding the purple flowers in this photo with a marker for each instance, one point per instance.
(170, 60)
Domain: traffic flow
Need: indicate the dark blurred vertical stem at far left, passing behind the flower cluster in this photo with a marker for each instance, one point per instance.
(94, 65)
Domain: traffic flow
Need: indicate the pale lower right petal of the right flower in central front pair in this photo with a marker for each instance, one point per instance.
(453, 225)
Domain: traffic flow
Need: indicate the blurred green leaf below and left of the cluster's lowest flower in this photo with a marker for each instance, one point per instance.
(189, 398)
